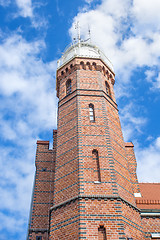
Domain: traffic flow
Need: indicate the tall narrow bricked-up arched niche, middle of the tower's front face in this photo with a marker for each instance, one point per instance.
(97, 174)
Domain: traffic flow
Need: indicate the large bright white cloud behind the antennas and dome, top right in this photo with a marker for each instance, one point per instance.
(119, 27)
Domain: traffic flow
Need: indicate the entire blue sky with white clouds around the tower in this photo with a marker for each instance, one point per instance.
(33, 35)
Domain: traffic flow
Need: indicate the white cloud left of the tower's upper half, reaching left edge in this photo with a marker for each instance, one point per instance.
(26, 79)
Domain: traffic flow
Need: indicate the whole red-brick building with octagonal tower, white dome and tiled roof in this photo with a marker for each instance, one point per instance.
(86, 187)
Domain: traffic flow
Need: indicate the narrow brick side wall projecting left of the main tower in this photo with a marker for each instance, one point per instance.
(43, 191)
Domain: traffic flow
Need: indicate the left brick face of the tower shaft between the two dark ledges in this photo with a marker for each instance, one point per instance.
(66, 177)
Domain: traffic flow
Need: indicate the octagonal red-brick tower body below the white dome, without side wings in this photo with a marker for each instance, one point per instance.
(75, 170)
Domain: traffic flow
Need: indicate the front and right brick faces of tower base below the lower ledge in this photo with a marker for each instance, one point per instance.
(119, 220)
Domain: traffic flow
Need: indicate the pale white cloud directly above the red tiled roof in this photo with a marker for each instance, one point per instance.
(149, 162)
